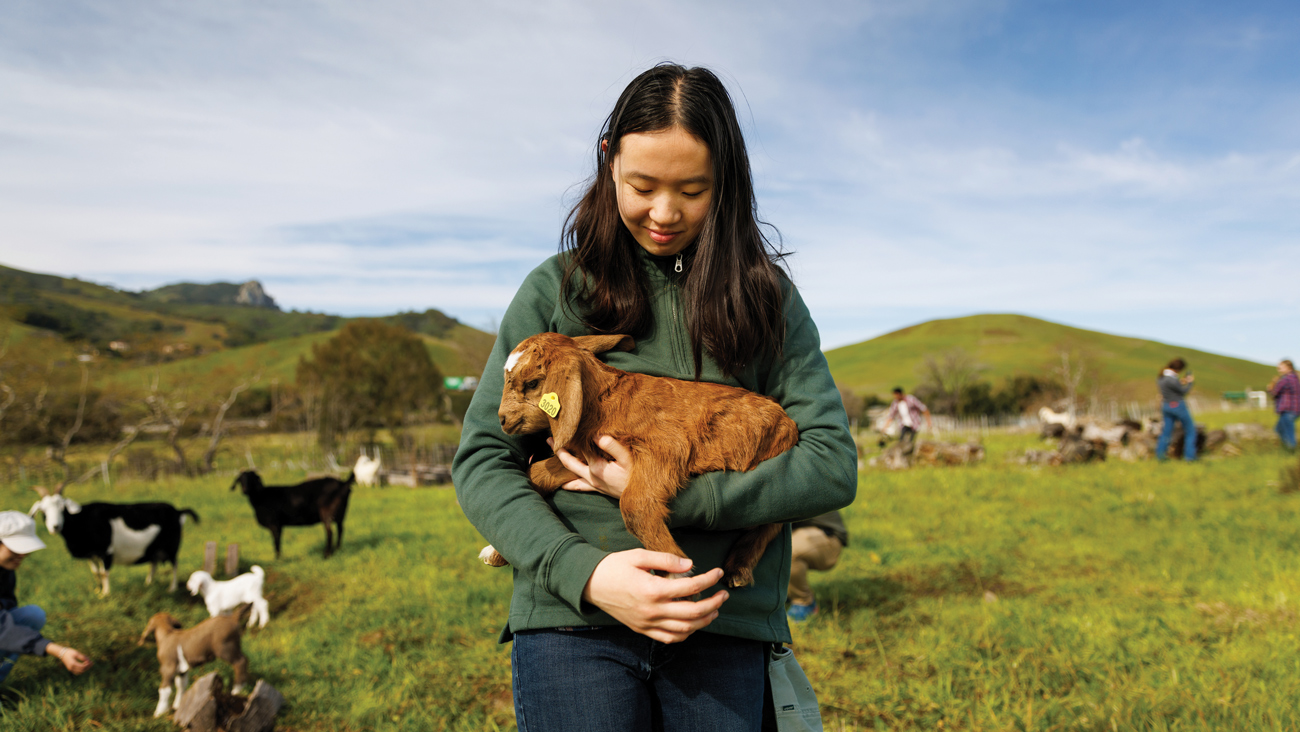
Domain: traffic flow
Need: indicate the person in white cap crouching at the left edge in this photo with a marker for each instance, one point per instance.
(20, 627)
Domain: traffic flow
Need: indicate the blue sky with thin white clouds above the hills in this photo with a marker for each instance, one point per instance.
(1132, 168)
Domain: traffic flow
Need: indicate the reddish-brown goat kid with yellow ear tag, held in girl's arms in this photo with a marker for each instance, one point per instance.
(674, 430)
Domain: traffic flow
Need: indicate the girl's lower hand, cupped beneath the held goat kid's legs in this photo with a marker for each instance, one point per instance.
(623, 587)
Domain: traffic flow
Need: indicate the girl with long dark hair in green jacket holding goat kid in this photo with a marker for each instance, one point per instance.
(666, 246)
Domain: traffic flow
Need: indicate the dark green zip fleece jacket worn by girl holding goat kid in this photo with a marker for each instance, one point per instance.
(554, 544)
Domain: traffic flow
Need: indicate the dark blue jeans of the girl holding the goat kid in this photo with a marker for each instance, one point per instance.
(595, 679)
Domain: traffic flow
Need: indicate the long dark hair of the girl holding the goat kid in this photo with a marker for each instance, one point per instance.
(733, 287)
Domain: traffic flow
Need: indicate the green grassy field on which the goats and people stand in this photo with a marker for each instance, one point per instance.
(996, 597)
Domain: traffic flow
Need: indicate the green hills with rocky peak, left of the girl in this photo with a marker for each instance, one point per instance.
(201, 328)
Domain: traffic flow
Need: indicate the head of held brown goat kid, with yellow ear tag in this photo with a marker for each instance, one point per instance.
(544, 383)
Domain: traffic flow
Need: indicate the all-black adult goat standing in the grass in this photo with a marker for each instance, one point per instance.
(319, 501)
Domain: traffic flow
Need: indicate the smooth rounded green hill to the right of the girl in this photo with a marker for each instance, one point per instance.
(1007, 345)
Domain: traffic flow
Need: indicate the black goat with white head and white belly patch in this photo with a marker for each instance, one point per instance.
(115, 534)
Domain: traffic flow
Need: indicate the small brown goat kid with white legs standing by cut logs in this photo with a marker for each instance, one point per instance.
(180, 651)
